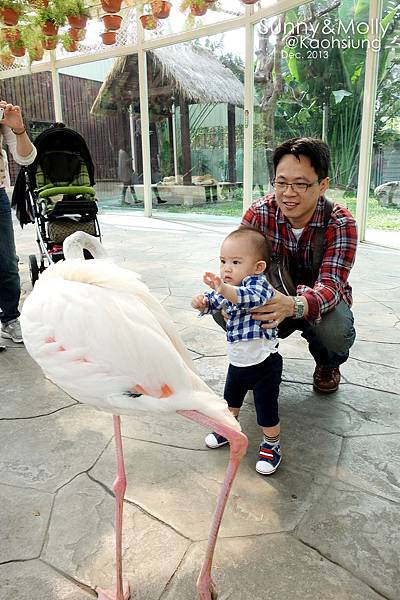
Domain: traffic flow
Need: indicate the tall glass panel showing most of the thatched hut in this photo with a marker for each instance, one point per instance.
(196, 97)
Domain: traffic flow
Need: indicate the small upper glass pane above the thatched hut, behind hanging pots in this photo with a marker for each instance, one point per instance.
(191, 14)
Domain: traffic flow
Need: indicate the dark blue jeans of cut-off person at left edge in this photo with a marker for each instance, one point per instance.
(9, 278)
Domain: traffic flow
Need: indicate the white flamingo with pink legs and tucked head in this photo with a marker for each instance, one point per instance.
(97, 332)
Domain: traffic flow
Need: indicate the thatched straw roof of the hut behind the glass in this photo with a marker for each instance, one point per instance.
(183, 69)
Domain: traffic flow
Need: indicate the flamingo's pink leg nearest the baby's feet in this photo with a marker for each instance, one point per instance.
(238, 446)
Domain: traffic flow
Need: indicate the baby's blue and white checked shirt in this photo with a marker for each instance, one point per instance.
(253, 291)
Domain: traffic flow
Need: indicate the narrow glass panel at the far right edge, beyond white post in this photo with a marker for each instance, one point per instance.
(383, 217)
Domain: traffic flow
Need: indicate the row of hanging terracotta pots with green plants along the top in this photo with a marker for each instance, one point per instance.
(33, 25)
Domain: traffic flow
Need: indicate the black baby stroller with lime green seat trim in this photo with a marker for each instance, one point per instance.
(59, 194)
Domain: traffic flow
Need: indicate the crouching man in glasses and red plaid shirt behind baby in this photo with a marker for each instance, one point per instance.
(290, 218)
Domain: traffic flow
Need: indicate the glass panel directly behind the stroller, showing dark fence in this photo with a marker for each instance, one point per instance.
(95, 105)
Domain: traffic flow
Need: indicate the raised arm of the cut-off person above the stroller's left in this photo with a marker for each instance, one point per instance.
(15, 136)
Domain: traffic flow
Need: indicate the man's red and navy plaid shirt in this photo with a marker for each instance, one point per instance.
(331, 285)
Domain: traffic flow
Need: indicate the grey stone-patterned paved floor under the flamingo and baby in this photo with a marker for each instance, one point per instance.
(324, 527)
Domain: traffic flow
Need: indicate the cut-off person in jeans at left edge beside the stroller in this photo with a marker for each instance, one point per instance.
(13, 133)
